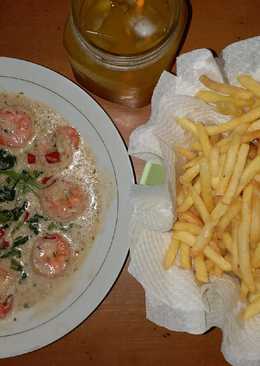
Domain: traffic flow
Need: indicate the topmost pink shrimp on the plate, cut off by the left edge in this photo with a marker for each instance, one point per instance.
(16, 128)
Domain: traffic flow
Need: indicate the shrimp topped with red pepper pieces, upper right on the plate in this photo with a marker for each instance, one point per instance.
(55, 152)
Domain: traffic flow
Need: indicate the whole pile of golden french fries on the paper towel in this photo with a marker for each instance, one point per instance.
(218, 194)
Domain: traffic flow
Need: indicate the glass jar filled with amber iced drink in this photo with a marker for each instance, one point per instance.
(118, 49)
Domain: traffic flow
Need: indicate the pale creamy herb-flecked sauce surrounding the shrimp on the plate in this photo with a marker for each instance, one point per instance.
(80, 233)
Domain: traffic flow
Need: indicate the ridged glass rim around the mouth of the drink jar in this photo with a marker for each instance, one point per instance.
(125, 60)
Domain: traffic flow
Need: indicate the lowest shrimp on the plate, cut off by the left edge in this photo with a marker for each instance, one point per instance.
(7, 289)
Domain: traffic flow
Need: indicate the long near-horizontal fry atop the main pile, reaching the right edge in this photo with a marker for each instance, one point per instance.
(248, 117)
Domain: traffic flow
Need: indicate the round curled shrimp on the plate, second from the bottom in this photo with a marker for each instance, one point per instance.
(50, 255)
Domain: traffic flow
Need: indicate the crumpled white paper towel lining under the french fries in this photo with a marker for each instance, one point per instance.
(173, 299)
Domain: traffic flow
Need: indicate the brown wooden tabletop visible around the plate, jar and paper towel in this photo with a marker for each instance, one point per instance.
(118, 333)
